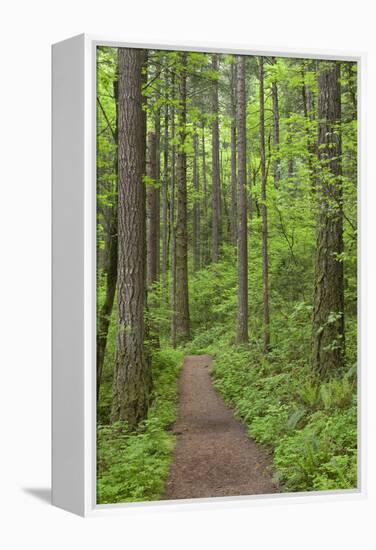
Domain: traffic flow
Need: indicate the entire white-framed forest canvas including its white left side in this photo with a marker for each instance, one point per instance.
(207, 290)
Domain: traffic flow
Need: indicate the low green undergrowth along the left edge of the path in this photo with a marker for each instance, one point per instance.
(133, 466)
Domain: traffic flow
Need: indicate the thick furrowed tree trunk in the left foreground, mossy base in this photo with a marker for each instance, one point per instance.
(132, 375)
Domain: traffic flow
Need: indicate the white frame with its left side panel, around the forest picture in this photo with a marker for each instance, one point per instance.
(73, 275)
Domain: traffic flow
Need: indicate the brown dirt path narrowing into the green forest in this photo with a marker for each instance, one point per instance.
(213, 454)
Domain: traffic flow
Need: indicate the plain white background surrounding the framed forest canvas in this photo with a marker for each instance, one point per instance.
(27, 30)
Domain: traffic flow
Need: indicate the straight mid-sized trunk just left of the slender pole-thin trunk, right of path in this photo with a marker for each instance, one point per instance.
(242, 325)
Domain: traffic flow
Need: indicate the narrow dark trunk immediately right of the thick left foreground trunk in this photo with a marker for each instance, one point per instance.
(152, 209)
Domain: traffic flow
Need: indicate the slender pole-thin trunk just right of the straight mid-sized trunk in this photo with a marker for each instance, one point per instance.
(264, 213)
